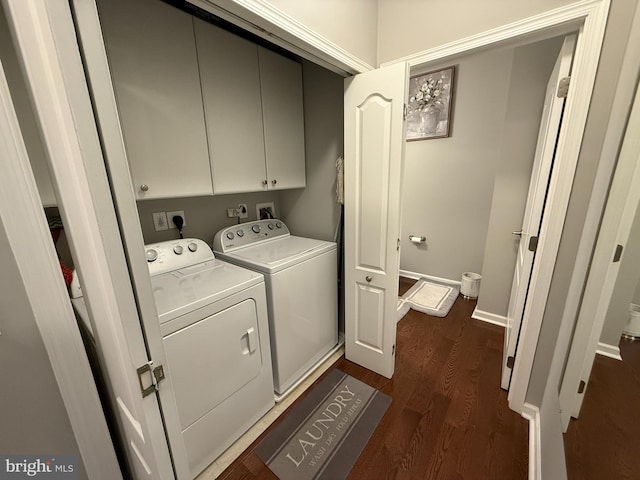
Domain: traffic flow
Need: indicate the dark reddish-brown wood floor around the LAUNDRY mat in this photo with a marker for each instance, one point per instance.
(449, 419)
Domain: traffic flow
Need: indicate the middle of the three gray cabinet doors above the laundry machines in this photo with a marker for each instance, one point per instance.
(233, 110)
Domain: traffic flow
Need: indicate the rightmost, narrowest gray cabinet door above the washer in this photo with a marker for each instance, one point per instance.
(281, 81)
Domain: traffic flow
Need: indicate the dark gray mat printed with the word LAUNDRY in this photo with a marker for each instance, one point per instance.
(322, 437)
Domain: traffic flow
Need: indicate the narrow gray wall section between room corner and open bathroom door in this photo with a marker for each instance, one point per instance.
(532, 65)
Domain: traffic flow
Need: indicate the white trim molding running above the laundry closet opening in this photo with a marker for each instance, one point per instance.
(266, 21)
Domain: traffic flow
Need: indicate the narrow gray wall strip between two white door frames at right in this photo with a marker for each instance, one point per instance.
(616, 36)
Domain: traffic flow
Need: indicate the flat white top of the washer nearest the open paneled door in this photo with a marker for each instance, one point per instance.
(278, 254)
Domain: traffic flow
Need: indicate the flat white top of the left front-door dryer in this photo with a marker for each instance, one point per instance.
(184, 290)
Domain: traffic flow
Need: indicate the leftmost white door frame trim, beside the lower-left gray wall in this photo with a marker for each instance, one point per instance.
(22, 215)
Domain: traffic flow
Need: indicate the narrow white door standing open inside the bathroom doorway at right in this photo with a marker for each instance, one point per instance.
(543, 161)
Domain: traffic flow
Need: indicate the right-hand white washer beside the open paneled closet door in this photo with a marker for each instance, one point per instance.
(302, 293)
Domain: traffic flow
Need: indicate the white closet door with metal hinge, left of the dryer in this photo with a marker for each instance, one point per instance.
(45, 38)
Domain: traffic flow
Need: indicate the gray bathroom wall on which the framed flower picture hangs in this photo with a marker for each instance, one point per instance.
(448, 182)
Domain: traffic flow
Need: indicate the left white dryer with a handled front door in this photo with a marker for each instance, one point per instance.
(213, 319)
